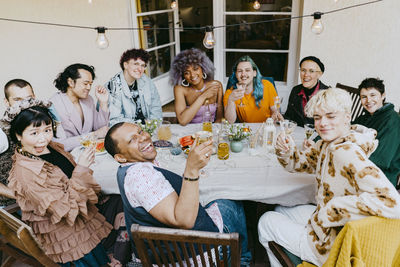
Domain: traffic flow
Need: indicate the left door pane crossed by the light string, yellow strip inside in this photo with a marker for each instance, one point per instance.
(154, 37)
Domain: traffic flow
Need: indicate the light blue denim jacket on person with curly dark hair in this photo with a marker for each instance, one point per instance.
(123, 108)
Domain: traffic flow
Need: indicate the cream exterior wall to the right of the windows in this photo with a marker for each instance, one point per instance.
(356, 43)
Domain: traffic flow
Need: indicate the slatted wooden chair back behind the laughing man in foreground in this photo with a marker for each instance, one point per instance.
(161, 240)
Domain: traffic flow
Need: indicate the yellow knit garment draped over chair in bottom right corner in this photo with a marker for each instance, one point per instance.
(373, 241)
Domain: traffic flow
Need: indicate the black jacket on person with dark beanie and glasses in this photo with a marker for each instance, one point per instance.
(295, 110)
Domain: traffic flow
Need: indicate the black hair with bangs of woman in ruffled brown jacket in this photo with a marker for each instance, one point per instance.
(35, 115)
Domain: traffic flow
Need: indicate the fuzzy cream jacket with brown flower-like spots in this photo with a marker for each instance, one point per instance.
(349, 185)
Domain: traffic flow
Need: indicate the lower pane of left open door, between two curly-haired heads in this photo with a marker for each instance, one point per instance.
(160, 60)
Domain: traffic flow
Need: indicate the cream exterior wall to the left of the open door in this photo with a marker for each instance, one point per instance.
(37, 53)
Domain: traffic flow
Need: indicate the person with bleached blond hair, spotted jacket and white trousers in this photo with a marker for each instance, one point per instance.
(349, 185)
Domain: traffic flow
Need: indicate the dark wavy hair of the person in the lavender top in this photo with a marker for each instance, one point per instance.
(72, 71)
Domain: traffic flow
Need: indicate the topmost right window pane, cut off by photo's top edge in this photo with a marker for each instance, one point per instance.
(266, 5)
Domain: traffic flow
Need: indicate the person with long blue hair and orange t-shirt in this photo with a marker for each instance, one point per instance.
(249, 97)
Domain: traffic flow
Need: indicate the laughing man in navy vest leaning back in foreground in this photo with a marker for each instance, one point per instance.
(157, 197)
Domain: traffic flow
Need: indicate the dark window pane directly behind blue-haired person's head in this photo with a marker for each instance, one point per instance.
(270, 64)
